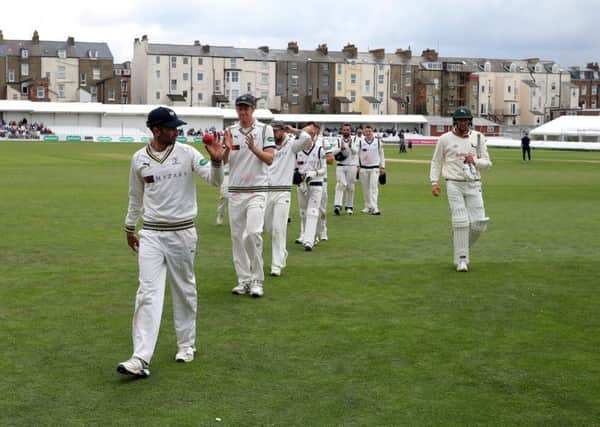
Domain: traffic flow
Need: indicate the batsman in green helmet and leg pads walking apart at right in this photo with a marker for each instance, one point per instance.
(458, 157)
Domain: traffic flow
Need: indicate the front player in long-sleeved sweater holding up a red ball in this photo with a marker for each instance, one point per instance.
(162, 190)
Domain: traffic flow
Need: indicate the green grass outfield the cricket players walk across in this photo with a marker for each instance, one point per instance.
(372, 328)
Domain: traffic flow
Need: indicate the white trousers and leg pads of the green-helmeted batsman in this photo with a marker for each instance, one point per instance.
(468, 216)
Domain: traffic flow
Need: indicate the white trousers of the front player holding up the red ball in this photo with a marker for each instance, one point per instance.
(163, 252)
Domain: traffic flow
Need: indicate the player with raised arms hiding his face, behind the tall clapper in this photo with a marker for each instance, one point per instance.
(288, 142)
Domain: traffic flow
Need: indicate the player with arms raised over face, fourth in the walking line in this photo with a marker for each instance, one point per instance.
(312, 167)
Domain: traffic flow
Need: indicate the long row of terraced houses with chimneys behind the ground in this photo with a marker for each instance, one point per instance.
(521, 92)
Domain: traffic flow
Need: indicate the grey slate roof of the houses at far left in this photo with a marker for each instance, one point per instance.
(50, 49)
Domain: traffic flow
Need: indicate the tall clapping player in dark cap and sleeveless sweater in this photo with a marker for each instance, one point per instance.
(249, 150)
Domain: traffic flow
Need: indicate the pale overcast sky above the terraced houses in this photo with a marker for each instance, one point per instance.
(564, 31)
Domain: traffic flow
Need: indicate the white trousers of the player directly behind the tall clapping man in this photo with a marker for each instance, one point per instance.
(276, 216)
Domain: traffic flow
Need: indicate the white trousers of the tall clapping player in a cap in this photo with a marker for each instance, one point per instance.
(246, 221)
